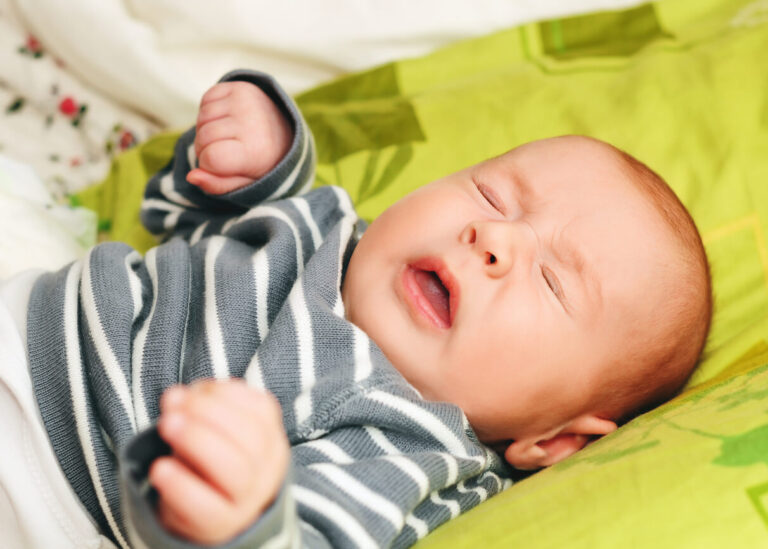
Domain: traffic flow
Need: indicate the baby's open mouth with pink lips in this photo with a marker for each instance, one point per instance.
(433, 291)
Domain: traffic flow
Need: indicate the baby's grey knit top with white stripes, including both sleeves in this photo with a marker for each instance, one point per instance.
(247, 284)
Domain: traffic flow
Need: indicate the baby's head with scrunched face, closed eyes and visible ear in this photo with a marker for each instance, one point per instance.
(551, 292)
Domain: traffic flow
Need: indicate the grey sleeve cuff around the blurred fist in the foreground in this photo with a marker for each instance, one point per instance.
(139, 500)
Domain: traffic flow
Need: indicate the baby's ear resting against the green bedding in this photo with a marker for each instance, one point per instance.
(549, 448)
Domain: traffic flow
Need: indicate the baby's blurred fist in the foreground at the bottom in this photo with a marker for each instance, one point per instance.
(230, 456)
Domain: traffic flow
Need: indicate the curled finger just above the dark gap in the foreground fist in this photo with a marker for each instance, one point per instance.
(212, 455)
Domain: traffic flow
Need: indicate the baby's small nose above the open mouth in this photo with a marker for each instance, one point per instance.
(500, 244)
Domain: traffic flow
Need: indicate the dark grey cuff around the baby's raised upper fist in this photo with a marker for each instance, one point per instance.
(292, 172)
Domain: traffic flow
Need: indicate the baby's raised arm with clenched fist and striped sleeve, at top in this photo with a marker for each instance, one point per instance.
(250, 145)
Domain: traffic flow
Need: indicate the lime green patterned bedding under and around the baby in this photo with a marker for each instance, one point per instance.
(682, 85)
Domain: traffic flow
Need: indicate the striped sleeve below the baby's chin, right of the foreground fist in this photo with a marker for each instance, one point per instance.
(391, 482)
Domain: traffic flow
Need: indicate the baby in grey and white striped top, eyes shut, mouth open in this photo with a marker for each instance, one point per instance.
(529, 303)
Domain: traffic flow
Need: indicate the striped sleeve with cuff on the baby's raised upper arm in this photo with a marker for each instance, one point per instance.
(173, 207)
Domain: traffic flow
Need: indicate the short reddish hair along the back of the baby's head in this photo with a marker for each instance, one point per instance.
(657, 369)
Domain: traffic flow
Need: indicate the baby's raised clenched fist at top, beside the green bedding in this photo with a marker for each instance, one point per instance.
(240, 136)
